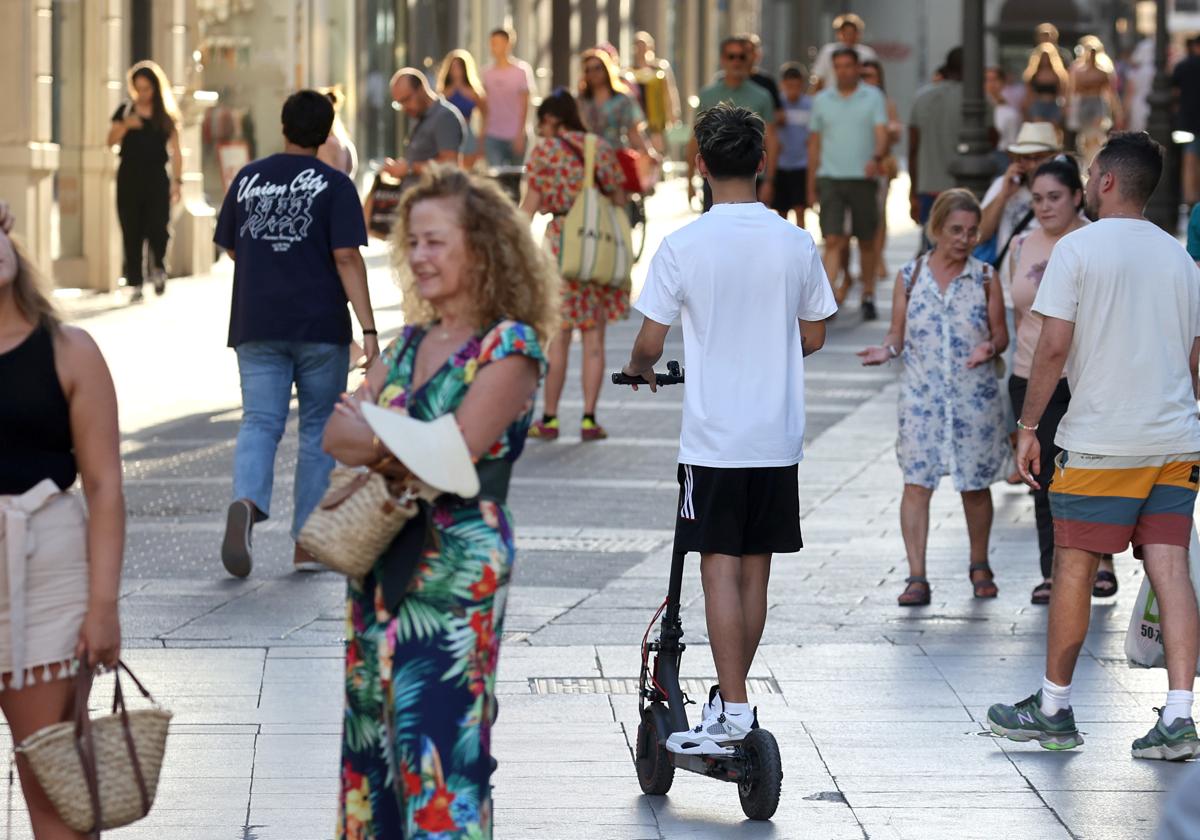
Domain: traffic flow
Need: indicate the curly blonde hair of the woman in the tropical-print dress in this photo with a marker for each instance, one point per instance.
(512, 277)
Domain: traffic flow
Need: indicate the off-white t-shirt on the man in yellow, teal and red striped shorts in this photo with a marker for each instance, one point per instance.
(1135, 297)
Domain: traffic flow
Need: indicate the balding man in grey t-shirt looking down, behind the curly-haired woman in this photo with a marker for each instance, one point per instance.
(437, 135)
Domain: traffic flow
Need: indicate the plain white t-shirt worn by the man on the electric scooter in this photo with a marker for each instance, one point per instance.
(741, 278)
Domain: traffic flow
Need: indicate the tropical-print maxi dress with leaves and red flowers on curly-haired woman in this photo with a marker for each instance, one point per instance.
(427, 676)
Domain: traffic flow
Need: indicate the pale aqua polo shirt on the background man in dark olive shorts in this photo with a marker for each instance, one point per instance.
(847, 125)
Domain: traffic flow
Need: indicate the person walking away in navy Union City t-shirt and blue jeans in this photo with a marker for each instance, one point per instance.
(293, 226)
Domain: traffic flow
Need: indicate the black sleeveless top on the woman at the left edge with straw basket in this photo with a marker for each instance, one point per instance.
(35, 423)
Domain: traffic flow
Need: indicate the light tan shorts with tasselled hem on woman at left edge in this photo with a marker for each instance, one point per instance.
(44, 583)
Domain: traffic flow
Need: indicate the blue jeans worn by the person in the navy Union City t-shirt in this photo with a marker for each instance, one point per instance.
(268, 370)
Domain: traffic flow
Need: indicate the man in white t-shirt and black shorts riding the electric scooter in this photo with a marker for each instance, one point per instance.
(753, 297)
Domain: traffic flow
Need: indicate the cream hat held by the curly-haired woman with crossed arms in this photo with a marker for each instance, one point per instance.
(435, 452)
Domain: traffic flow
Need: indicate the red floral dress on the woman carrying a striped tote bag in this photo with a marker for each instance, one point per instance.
(556, 172)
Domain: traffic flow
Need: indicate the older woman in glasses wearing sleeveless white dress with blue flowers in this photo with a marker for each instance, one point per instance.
(949, 319)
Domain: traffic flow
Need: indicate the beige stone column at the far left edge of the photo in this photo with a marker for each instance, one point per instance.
(28, 158)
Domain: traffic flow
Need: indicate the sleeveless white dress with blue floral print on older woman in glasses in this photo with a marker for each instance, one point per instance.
(952, 419)
